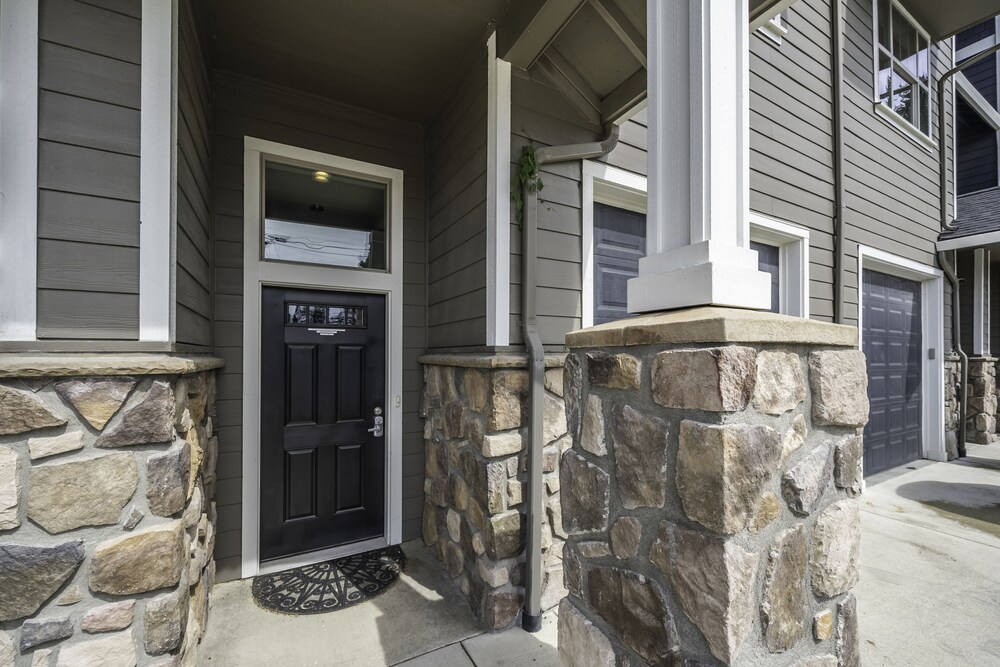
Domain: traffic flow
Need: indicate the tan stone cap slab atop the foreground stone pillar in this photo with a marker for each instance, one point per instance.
(714, 325)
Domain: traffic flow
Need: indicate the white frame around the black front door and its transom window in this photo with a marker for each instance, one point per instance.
(258, 273)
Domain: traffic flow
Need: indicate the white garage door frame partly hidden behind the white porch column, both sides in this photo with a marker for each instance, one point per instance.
(605, 184)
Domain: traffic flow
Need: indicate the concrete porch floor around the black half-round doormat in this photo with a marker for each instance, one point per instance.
(421, 621)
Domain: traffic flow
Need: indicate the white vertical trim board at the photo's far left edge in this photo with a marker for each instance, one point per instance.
(18, 169)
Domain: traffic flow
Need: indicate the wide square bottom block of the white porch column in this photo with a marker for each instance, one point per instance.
(707, 284)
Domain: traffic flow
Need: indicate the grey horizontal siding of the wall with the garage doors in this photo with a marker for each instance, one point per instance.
(890, 180)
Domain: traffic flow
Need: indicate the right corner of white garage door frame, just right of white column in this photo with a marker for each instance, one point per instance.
(793, 260)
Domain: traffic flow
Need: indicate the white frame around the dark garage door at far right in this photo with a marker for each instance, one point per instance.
(931, 281)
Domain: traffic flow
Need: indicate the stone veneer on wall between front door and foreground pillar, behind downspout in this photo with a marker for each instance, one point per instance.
(475, 481)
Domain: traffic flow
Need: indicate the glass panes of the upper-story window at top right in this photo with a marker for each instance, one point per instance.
(902, 65)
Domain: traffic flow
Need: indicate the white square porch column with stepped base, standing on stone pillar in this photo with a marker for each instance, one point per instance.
(699, 169)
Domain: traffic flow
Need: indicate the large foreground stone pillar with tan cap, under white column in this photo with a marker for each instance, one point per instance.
(708, 495)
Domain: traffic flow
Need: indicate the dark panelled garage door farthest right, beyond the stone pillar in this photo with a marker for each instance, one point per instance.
(892, 345)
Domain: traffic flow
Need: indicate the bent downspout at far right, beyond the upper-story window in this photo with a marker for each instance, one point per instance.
(950, 225)
